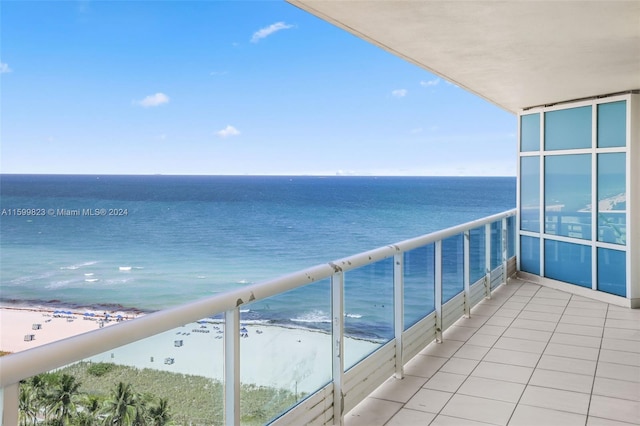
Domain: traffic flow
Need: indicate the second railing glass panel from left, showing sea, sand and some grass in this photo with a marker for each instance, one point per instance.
(292, 334)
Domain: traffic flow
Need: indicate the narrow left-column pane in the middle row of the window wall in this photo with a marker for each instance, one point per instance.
(530, 194)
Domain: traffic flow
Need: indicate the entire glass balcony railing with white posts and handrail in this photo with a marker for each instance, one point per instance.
(244, 357)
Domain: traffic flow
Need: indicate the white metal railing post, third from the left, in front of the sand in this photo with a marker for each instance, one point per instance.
(337, 339)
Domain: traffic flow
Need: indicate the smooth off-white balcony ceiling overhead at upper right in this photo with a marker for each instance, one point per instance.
(515, 54)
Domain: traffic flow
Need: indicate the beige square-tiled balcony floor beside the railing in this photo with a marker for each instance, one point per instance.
(530, 355)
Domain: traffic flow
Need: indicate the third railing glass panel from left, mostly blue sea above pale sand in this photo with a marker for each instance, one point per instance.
(368, 304)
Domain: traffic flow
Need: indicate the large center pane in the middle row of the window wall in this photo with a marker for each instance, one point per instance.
(567, 195)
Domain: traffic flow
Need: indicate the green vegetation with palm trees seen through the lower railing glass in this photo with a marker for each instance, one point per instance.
(87, 394)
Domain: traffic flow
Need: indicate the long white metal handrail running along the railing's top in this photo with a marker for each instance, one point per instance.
(25, 364)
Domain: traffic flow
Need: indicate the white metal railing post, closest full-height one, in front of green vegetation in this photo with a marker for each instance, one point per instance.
(232, 367)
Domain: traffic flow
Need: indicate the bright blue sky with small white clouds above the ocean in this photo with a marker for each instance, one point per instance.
(227, 87)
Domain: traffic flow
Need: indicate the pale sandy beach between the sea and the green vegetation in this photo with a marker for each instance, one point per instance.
(289, 358)
